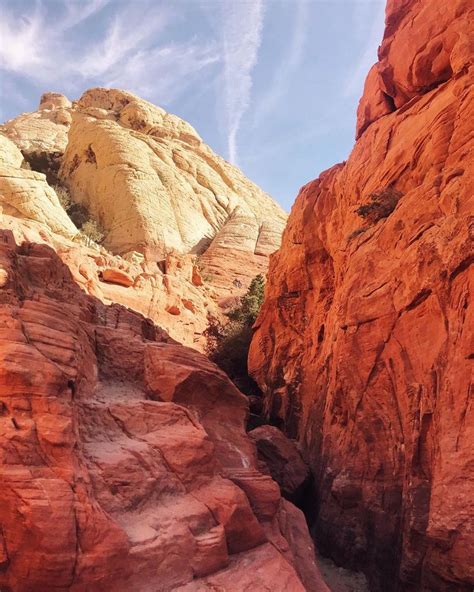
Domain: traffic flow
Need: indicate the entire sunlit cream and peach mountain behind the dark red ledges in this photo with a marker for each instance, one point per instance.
(184, 231)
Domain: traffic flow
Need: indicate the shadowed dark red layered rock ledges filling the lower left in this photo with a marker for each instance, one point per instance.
(124, 464)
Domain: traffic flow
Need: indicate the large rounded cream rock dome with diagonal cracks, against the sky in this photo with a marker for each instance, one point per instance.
(155, 186)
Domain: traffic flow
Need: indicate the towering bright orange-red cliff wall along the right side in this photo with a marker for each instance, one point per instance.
(364, 344)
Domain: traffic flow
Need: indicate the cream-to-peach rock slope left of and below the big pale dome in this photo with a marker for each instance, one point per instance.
(172, 293)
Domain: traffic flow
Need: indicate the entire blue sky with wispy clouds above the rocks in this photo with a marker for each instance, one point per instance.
(271, 85)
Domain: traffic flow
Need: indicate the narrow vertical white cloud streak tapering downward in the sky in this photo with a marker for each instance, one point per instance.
(241, 34)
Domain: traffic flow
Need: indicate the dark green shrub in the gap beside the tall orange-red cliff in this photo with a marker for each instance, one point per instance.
(228, 344)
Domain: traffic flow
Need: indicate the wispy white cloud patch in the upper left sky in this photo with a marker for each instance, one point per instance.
(122, 47)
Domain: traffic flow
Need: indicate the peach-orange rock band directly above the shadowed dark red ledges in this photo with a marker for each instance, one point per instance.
(152, 290)
